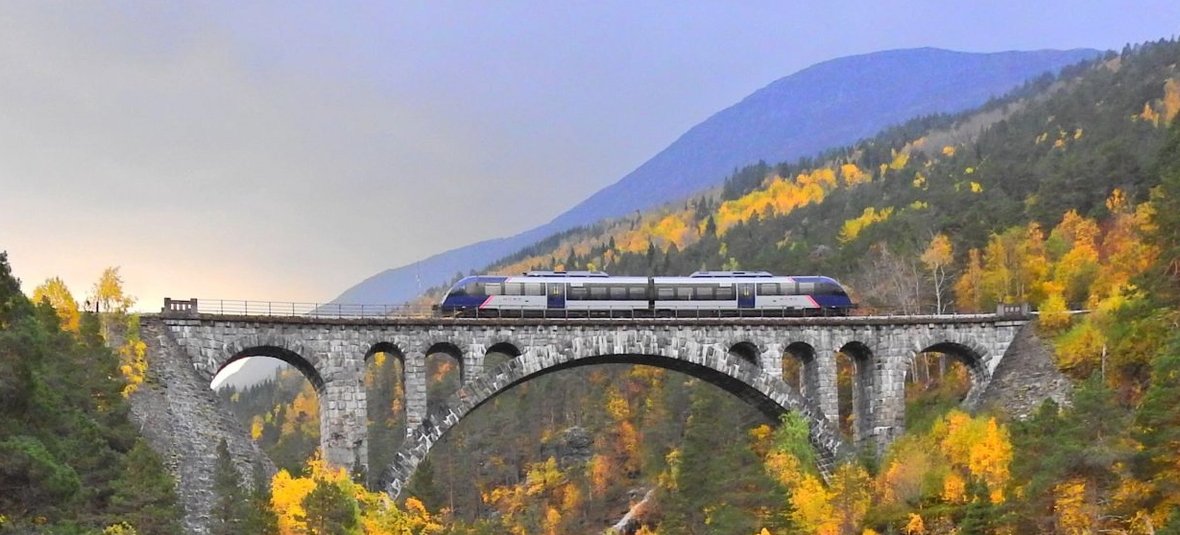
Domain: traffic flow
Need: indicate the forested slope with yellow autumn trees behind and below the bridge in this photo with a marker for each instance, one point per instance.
(1065, 194)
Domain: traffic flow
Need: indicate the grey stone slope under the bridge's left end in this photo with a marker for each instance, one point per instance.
(183, 421)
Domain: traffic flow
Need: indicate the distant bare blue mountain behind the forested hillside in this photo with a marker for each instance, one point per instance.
(830, 105)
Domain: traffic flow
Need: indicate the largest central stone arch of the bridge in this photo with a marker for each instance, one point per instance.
(714, 366)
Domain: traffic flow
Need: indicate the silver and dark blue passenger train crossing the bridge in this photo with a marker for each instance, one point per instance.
(598, 295)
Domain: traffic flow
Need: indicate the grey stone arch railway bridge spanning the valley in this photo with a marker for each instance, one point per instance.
(742, 356)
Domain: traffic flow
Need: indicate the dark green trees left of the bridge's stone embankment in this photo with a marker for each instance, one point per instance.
(70, 460)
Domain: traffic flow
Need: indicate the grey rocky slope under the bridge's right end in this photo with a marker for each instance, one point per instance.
(1026, 379)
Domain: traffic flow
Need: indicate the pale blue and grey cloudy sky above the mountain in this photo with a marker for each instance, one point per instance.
(286, 152)
